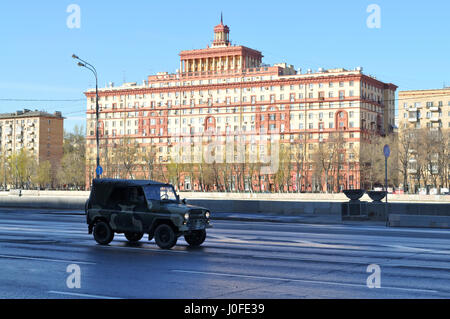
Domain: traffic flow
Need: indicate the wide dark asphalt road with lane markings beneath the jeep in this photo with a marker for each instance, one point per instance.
(238, 260)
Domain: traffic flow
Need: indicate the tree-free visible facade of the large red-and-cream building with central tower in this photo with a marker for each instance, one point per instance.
(225, 92)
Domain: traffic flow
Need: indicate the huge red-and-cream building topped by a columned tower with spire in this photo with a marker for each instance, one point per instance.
(227, 121)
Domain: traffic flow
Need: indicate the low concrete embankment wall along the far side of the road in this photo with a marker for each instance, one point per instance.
(261, 204)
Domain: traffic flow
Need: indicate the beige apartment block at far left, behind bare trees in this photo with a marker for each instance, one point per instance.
(40, 133)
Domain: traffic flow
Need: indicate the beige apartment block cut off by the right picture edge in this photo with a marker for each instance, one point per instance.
(425, 115)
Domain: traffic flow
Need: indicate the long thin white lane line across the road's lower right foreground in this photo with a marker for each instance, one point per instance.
(300, 280)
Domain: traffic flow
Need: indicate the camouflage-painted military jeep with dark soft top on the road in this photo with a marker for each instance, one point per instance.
(138, 207)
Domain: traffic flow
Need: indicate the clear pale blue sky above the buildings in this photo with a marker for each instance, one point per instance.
(128, 40)
